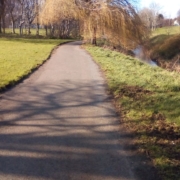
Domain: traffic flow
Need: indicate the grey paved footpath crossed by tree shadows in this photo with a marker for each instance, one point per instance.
(60, 124)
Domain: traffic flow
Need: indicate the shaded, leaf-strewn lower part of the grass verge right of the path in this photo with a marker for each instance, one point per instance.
(155, 133)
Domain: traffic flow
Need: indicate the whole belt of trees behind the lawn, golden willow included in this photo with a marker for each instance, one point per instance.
(113, 21)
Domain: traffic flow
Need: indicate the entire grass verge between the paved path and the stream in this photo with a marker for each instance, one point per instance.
(148, 99)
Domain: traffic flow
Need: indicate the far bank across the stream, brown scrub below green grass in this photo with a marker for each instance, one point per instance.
(164, 47)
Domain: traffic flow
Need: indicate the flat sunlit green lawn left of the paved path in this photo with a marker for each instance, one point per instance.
(19, 56)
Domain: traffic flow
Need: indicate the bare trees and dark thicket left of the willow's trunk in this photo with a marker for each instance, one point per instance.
(25, 14)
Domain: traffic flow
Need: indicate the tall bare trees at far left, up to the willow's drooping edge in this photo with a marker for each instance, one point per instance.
(19, 14)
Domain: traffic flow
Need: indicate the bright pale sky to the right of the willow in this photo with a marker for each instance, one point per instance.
(169, 8)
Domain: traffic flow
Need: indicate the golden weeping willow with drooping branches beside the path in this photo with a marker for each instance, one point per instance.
(113, 20)
